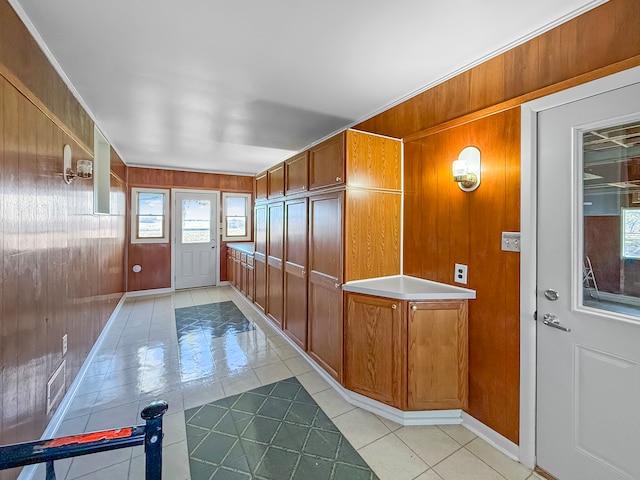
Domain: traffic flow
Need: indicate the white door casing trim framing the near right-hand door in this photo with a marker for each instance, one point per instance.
(528, 229)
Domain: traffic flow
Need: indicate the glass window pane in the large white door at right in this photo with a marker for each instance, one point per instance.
(611, 218)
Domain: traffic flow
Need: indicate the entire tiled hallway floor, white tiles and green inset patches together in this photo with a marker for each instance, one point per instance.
(243, 372)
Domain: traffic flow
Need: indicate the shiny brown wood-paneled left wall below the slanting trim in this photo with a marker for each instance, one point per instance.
(62, 266)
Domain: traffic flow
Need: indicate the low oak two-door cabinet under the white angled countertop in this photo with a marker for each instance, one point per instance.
(410, 355)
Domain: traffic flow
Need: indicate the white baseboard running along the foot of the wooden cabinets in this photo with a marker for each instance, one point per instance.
(422, 417)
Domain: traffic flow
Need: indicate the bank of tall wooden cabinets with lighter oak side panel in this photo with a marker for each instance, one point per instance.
(345, 193)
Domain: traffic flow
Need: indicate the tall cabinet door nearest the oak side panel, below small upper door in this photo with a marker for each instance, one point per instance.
(325, 336)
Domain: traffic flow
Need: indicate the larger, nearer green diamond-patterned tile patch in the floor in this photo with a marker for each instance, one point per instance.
(273, 432)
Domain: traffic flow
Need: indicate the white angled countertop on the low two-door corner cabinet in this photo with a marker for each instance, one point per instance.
(404, 287)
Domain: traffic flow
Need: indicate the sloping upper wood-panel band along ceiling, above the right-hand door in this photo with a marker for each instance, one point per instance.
(580, 50)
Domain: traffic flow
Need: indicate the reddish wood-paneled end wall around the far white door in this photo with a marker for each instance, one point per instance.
(155, 258)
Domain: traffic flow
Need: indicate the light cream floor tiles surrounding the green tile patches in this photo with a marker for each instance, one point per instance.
(140, 361)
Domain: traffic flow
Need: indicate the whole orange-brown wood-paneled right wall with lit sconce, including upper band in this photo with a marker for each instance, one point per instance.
(444, 226)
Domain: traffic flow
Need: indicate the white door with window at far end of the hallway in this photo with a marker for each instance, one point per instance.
(196, 239)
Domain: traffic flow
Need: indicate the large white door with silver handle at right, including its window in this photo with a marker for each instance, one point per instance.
(588, 338)
